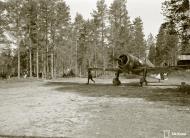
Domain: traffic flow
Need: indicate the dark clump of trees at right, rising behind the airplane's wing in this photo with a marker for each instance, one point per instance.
(173, 37)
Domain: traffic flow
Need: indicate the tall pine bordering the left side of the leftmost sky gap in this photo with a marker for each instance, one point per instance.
(59, 28)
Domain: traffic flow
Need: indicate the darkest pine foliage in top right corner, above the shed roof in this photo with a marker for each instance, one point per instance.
(177, 15)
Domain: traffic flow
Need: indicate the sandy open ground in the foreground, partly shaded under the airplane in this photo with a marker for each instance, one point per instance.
(70, 108)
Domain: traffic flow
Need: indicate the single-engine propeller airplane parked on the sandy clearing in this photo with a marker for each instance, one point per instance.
(128, 63)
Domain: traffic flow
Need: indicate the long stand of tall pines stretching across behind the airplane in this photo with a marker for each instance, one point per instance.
(39, 38)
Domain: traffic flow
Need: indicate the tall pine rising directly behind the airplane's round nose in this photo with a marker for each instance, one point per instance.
(119, 28)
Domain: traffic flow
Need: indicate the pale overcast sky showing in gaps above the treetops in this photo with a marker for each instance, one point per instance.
(148, 10)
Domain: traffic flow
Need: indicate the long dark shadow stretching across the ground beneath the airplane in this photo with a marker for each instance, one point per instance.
(171, 96)
